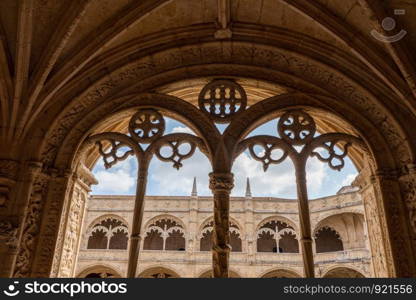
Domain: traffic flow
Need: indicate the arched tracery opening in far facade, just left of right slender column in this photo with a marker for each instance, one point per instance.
(277, 237)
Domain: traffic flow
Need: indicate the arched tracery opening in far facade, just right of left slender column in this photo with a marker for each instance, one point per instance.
(165, 234)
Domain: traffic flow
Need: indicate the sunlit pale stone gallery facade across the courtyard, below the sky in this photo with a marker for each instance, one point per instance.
(264, 236)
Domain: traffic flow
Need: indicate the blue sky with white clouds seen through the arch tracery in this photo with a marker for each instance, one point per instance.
(278, 181)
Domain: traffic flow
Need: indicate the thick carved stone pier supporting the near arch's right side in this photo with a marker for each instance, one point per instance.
(387, 224)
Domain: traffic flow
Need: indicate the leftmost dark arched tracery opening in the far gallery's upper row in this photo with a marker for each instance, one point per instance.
(108, 234)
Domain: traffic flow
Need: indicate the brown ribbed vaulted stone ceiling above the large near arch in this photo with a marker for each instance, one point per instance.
(52, 51)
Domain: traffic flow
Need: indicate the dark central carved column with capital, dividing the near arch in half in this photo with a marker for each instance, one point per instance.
(221, 185)
